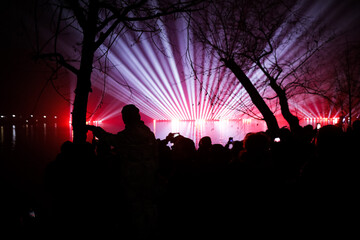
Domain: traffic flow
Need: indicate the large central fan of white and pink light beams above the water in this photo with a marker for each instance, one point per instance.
(162, 83)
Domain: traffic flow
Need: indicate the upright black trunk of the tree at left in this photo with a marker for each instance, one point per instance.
(83, 86)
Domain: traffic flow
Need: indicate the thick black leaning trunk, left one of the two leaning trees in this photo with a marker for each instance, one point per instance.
(256, 98)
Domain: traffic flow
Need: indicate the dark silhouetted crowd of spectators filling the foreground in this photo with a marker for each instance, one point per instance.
(135, 186)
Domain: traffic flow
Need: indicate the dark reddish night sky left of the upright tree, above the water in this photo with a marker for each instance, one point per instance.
(22, 79)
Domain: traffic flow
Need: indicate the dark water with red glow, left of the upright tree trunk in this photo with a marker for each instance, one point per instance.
(25, 151)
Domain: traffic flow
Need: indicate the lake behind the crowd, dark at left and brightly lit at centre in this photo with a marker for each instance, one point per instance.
(26, 149)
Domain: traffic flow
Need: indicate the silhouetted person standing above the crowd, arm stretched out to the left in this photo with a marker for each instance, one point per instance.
(135, 172)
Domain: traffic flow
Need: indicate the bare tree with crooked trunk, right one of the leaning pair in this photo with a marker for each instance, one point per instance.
(292, 41)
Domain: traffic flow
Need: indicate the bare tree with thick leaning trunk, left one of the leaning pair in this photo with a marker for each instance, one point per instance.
(224, 29)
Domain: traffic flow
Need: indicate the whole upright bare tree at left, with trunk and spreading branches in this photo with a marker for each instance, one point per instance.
(95, 25)
